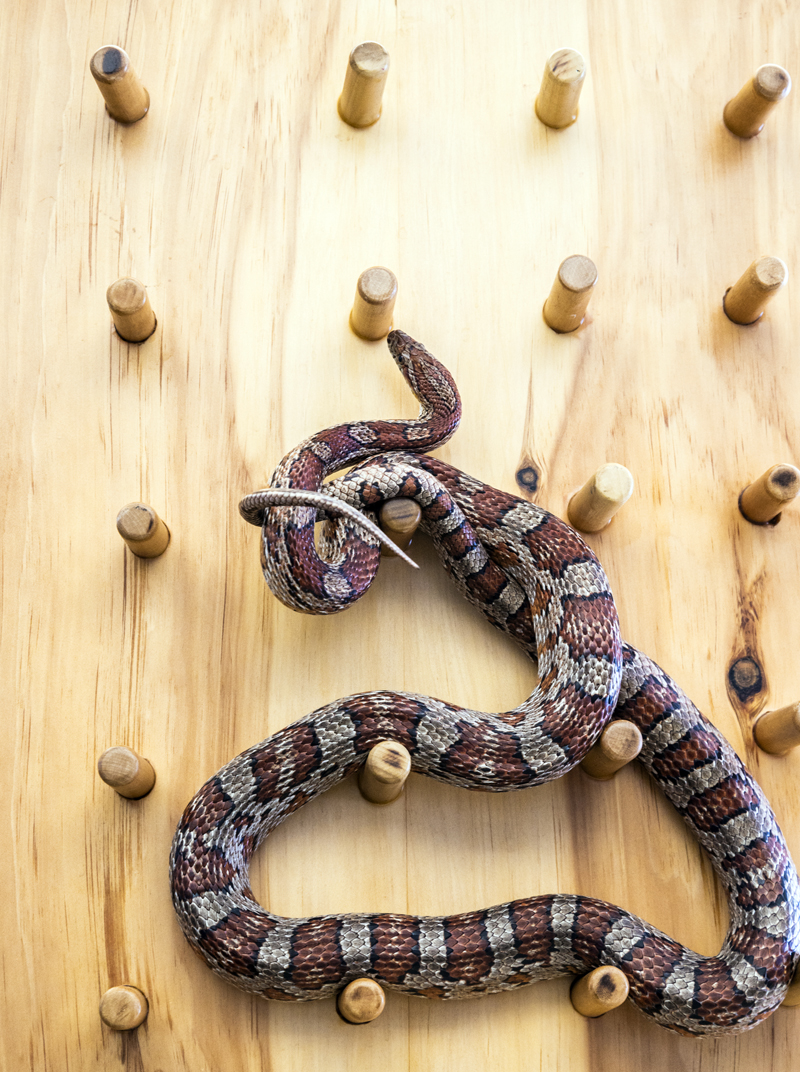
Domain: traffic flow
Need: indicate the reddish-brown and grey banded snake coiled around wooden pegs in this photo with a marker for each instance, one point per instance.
(536, 579)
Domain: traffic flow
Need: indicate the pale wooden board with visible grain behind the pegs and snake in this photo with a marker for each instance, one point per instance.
(248, 209)
